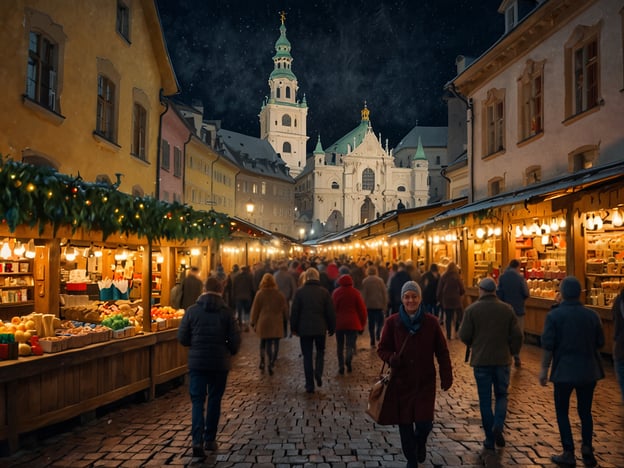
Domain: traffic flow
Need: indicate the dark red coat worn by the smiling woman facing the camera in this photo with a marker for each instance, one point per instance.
(410, 396)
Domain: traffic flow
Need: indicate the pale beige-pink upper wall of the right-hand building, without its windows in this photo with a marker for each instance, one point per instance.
(600, 127)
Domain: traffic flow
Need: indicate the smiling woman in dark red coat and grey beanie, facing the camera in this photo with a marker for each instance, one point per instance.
(411, 393)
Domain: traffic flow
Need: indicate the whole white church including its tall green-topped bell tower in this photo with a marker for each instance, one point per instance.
(352, 181)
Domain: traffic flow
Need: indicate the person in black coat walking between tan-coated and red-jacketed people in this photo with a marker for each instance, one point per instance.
(312, 318)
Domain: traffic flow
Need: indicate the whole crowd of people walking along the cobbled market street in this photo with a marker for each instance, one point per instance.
(410, 314)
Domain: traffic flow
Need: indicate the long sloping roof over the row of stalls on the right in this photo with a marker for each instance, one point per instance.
(540, 192)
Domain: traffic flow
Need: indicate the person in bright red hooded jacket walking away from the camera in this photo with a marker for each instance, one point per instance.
(350, 319)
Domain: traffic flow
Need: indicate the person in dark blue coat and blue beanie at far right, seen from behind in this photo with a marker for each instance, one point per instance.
(572, 339)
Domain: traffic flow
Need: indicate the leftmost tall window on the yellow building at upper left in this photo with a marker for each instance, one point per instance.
(41, 80)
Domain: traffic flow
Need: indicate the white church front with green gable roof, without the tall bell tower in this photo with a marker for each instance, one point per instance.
(355, 180)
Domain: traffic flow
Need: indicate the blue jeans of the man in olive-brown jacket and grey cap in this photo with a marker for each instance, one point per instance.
(488, 378)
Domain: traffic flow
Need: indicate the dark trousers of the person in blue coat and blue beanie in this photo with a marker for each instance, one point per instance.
(584, 398)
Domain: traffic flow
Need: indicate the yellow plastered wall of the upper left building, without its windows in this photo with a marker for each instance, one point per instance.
(66, 137)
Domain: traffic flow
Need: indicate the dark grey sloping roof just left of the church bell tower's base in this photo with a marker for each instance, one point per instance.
(253, 154)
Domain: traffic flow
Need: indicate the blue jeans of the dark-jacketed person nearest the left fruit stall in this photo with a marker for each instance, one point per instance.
(200, 382)
